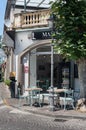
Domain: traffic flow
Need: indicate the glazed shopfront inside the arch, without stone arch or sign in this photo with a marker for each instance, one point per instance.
(39, 69)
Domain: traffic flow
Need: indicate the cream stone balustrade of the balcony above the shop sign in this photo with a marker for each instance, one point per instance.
(31, 19)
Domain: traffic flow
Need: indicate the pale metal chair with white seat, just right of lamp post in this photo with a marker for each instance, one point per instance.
(67, 99)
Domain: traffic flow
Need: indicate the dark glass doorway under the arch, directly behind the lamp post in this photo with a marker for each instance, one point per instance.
(43, 68)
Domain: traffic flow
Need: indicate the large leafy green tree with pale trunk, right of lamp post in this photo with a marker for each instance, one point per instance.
(70, 23)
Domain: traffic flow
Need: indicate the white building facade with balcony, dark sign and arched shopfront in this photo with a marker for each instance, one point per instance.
(31, 47)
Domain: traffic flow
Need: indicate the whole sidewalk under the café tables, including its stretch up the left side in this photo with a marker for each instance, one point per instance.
(69, 114)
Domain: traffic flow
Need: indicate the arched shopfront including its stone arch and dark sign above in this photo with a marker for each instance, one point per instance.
(36, 65)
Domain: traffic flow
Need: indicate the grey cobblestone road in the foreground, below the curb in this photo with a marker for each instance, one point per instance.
(13, 119)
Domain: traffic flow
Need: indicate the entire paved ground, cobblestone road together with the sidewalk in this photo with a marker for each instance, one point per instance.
(12, 118)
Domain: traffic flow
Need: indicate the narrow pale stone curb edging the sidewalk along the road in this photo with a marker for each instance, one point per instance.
(42, 112)
